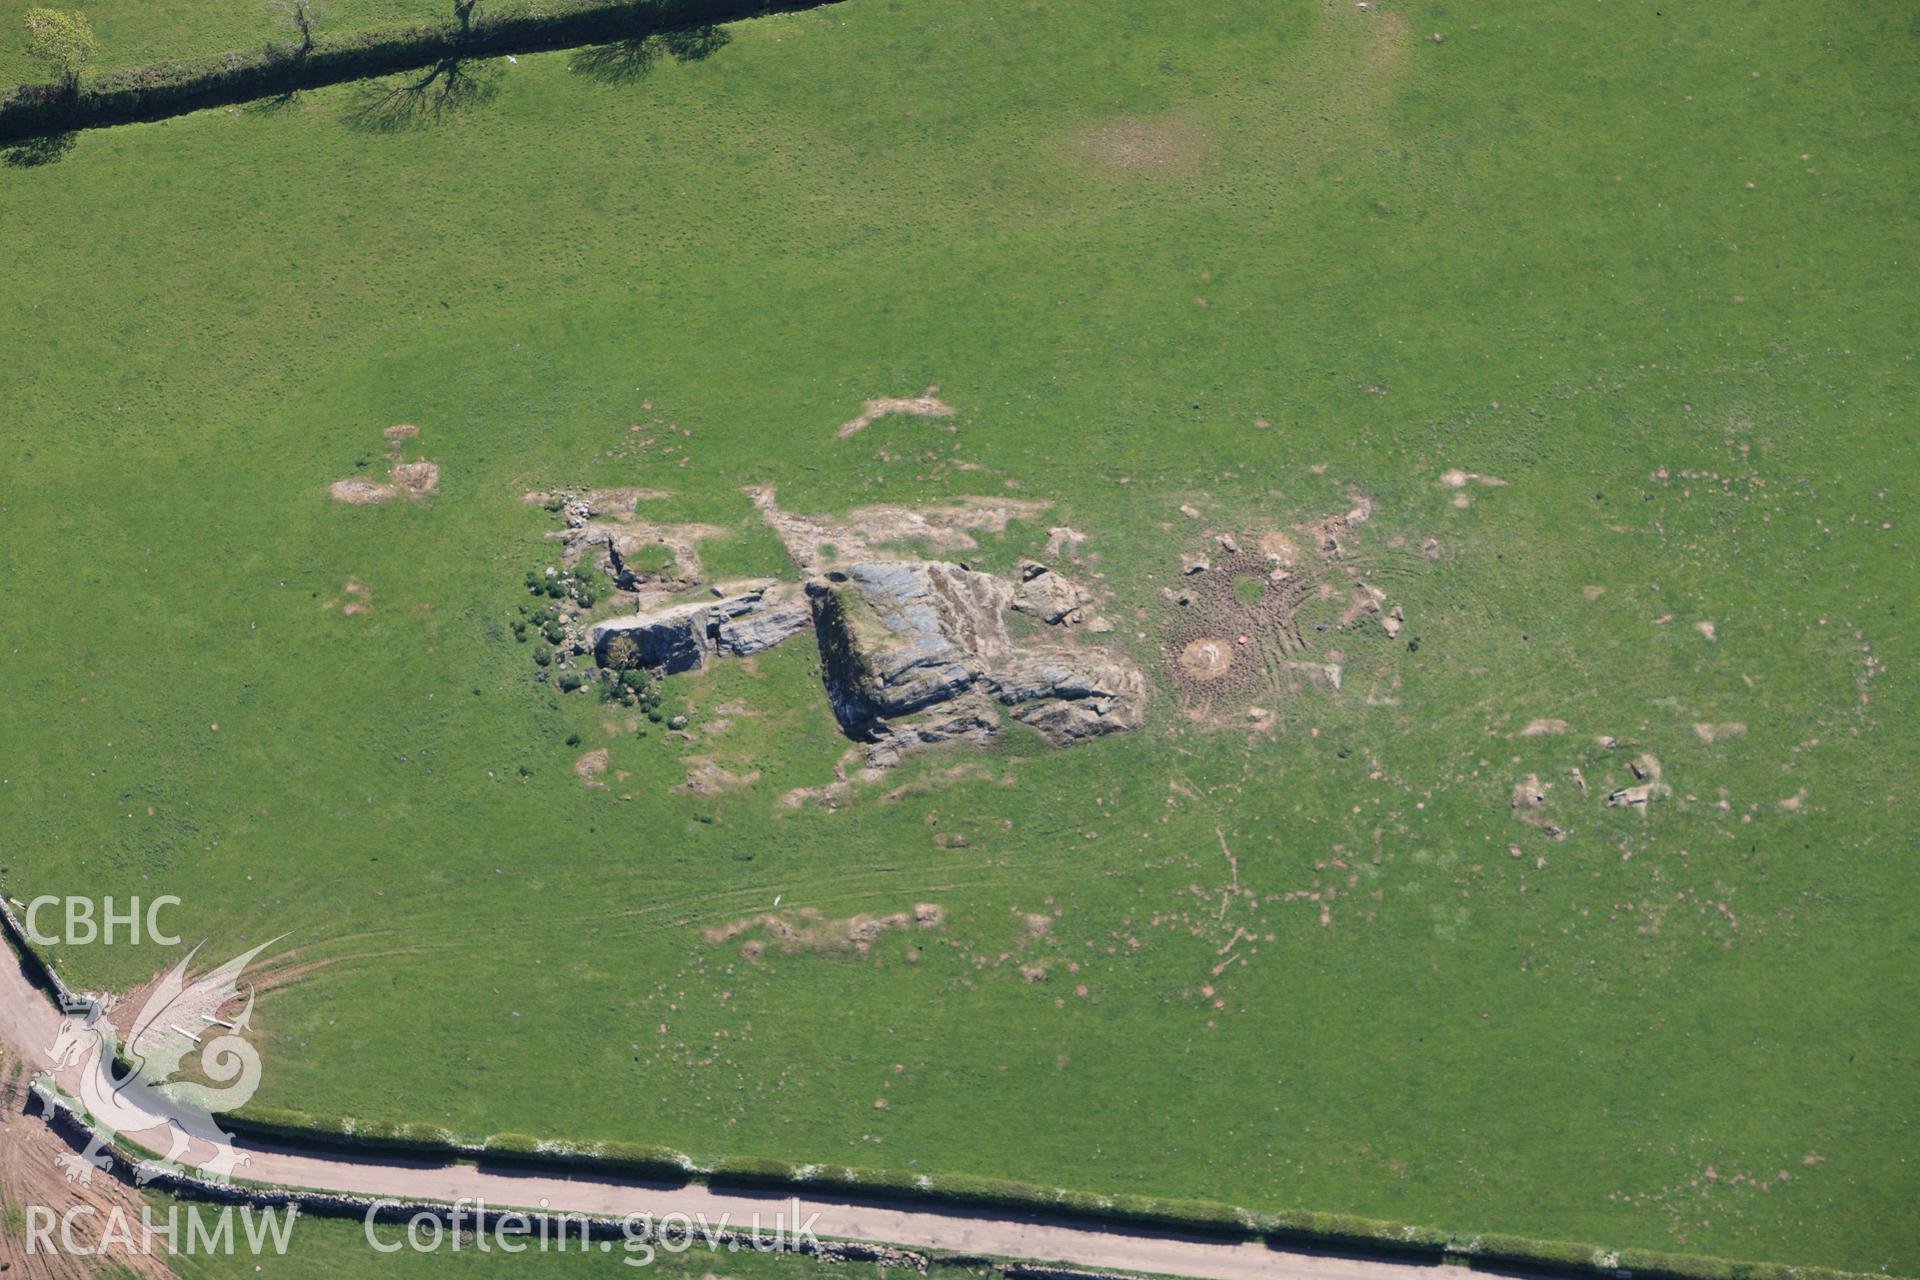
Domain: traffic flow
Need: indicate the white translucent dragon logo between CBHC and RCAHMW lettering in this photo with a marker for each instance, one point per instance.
(139, 1089)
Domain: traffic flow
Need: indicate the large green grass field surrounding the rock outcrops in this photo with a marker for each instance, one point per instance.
(1646, 266)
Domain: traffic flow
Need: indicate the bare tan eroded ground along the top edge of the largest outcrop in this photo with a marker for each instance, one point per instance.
(815, 544)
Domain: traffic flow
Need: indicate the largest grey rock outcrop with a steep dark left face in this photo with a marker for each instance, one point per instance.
(907, 636)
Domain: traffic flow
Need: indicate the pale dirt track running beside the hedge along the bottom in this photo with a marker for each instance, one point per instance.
(30, 1024)
